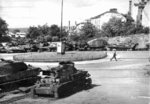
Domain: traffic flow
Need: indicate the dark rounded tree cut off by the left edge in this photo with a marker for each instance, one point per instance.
(3, 27)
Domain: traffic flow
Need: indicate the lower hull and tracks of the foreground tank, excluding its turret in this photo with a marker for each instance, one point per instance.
(77, 82)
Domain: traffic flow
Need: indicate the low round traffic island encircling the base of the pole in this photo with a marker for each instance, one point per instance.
(54, 57)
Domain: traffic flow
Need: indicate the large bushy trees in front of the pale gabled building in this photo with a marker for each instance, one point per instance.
(117, 27)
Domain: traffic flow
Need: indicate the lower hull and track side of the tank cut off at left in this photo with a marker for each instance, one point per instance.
(21, 79)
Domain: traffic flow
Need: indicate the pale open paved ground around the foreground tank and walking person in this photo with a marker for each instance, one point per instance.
(114, 82)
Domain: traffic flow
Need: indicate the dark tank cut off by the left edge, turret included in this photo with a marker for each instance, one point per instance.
(16, 74)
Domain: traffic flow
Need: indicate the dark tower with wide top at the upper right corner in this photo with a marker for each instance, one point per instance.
(141, 6)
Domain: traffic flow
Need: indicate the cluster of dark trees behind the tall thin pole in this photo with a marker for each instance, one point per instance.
(46, 33)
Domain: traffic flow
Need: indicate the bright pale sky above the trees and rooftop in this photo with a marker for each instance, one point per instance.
(25, 13)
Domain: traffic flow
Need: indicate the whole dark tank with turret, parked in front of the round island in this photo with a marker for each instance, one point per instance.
(62, 80)
